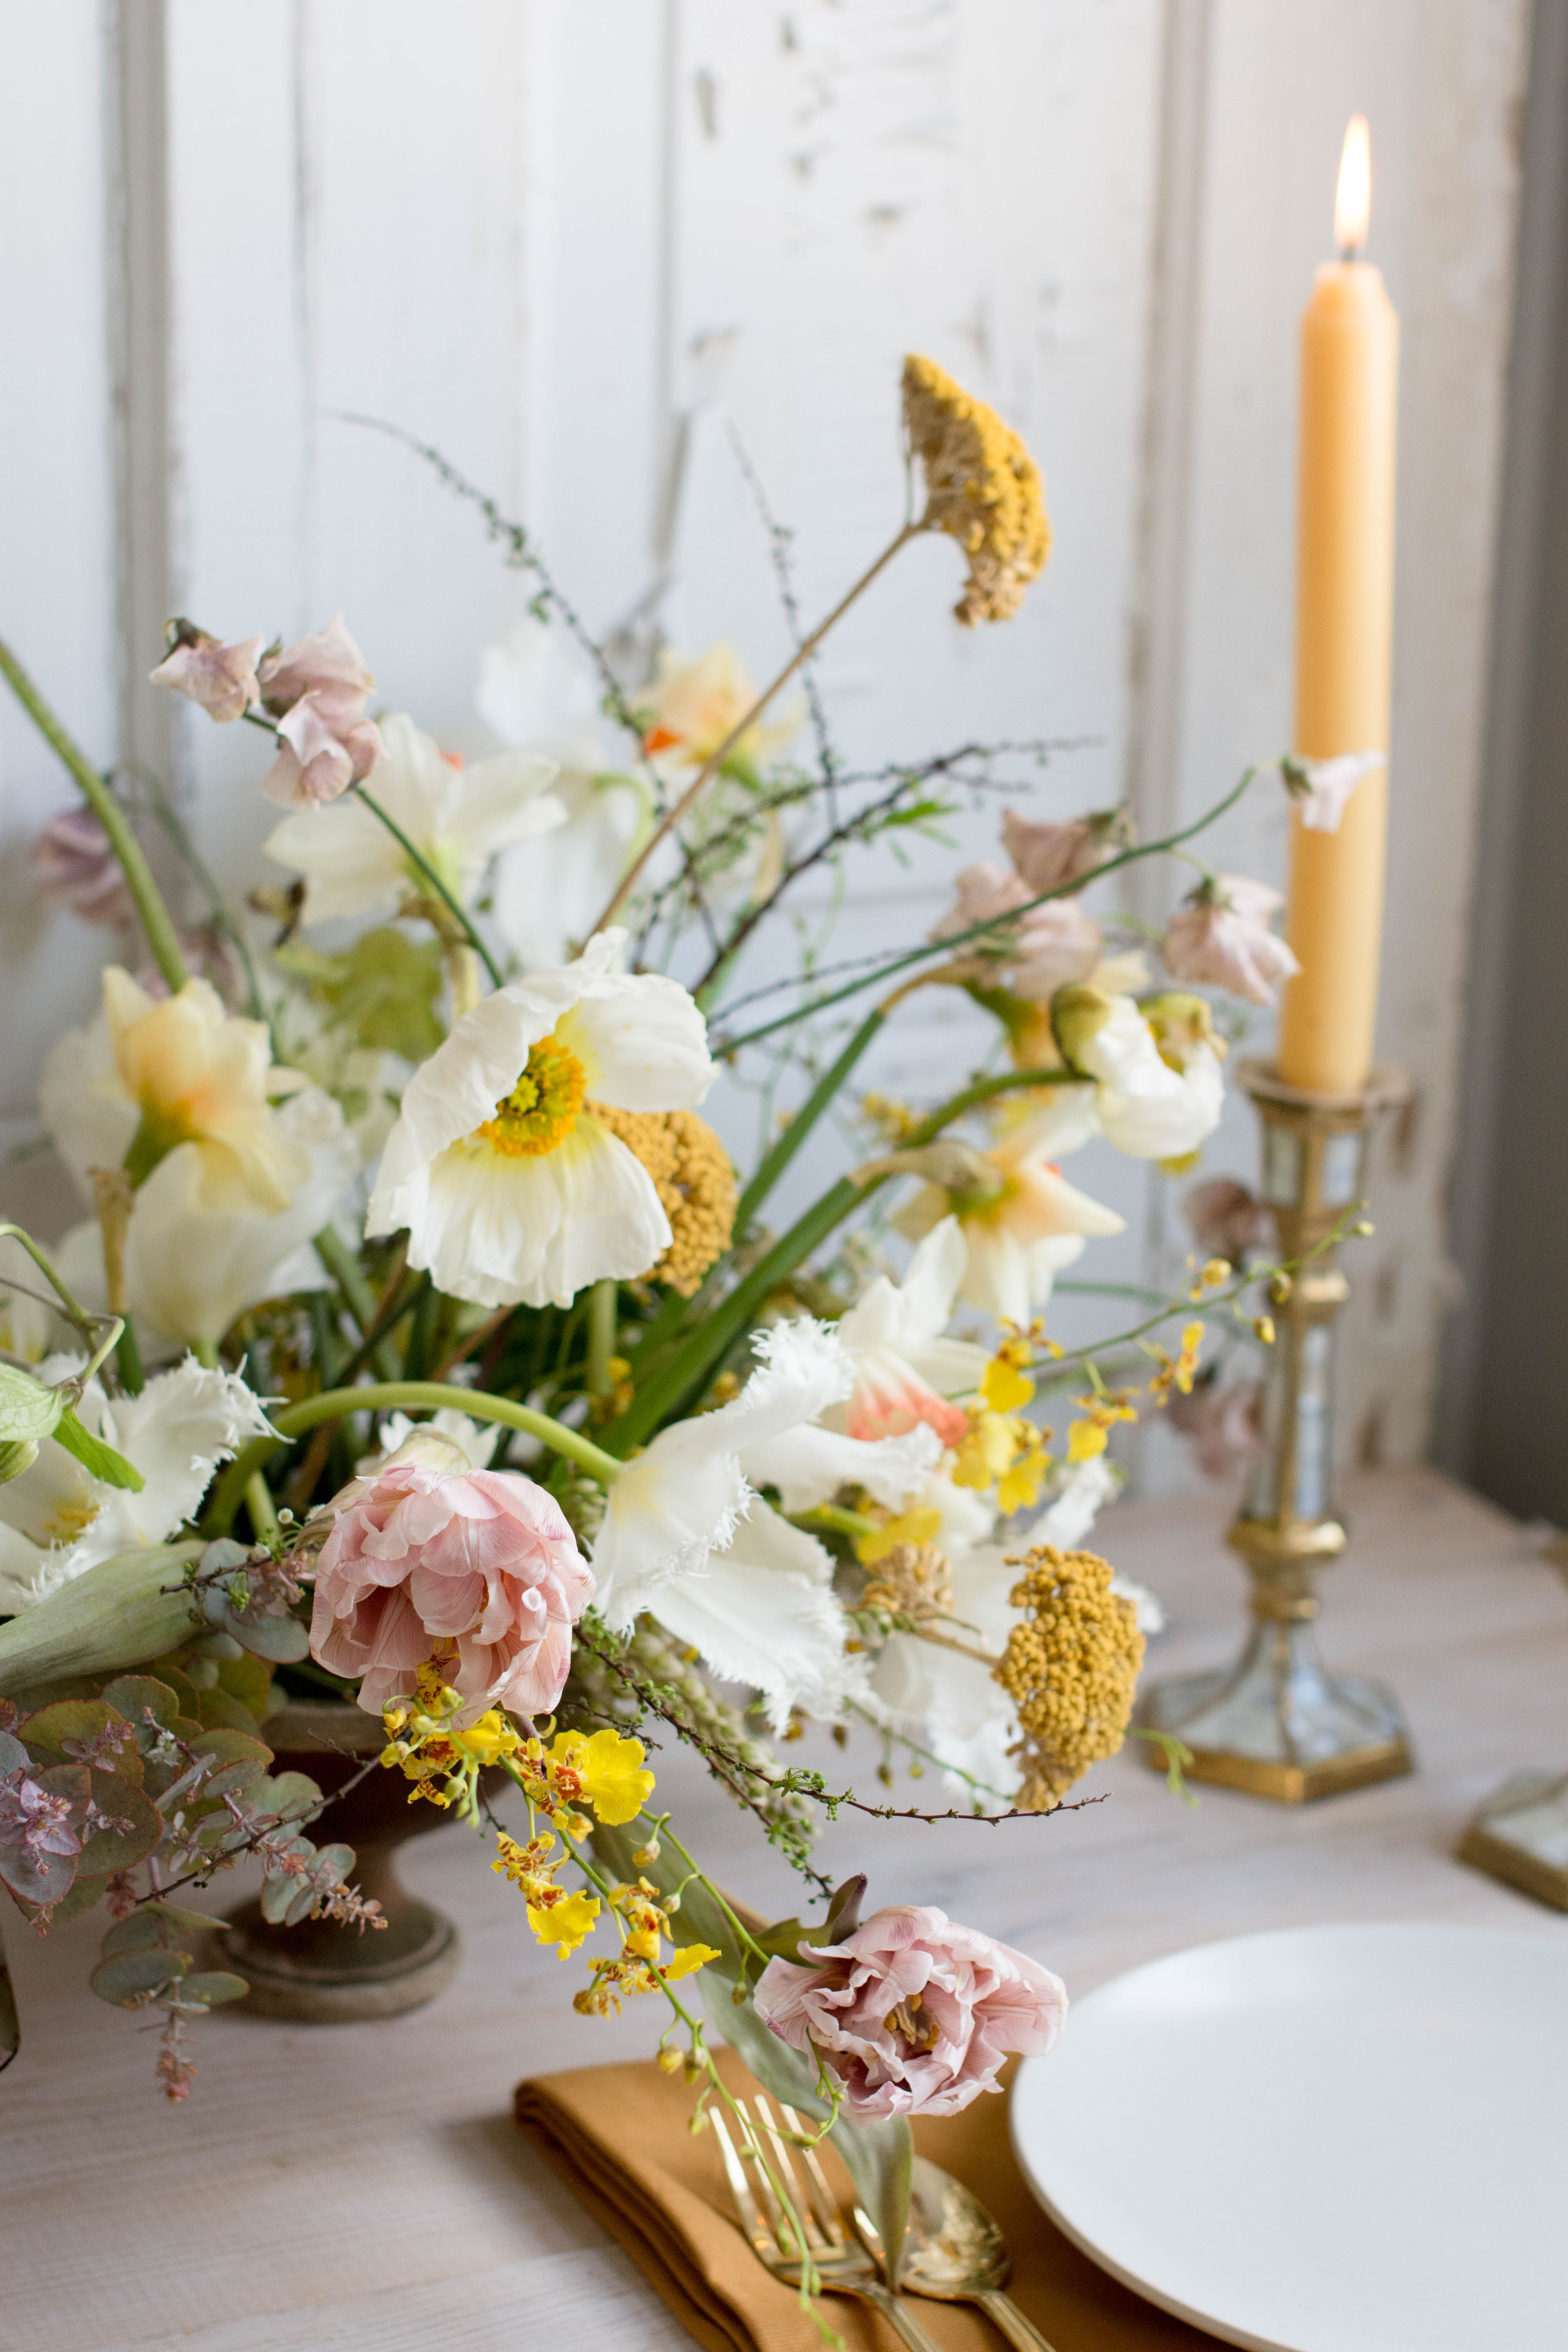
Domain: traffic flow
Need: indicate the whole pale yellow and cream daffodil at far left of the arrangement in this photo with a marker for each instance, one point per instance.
(166, 1074)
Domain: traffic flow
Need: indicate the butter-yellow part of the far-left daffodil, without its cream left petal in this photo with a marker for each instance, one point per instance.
(201, 1076)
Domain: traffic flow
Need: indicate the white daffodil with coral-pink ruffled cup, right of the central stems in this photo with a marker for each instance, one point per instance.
(906, 1372)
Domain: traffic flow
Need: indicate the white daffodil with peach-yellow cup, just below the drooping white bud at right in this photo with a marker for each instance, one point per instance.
(1021, 1220)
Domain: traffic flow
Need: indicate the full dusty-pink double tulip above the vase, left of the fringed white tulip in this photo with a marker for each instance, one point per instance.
(424, 1556)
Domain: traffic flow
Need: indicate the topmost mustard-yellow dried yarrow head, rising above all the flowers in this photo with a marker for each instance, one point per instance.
(981, 488)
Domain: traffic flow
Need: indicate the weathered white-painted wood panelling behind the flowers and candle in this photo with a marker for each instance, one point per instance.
(570, 239)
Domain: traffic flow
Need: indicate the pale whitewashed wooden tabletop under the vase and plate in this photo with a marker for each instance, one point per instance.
(337, 2189)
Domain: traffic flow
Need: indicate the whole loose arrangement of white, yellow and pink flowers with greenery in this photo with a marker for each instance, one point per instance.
(422, 1347)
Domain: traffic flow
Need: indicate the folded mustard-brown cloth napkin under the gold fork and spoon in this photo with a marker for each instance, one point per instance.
(622, 2139)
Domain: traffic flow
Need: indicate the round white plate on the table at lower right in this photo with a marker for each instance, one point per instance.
(1343, 2139)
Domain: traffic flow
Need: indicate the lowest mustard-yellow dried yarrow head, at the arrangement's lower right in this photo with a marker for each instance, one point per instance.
(1071, 1671)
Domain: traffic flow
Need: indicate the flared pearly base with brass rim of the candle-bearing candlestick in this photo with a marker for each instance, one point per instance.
(1280, 1725)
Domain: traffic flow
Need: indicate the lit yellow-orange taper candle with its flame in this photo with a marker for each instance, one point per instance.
(1343, 646)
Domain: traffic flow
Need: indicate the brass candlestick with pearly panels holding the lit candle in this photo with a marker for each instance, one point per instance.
(1278, 1723)
